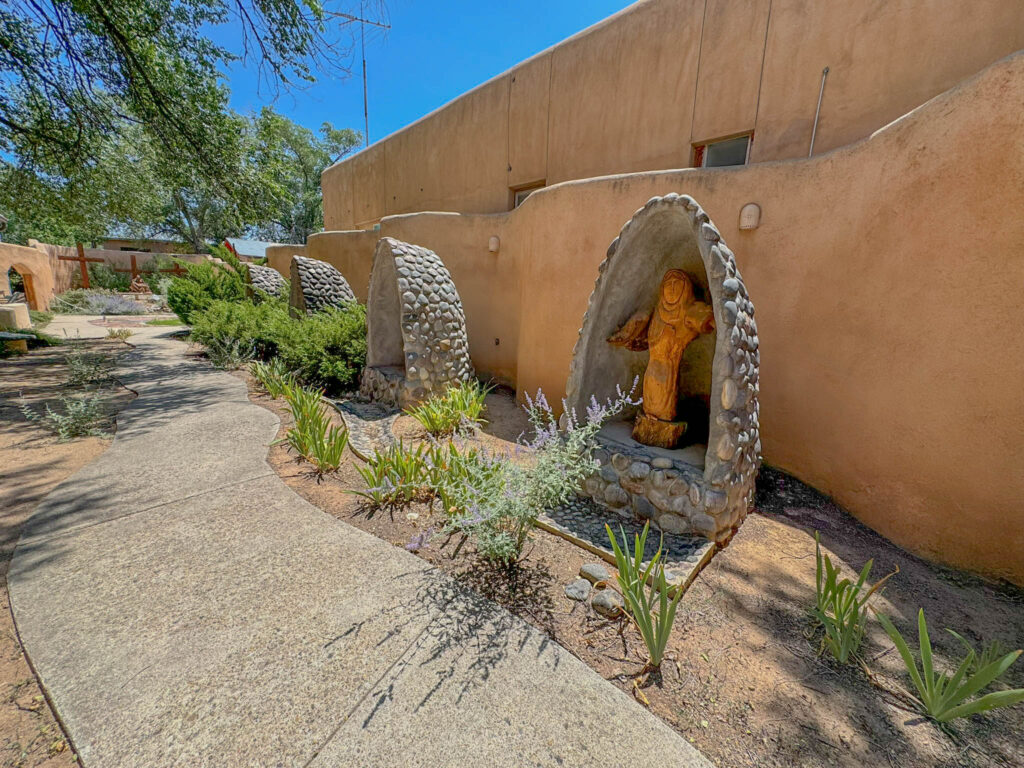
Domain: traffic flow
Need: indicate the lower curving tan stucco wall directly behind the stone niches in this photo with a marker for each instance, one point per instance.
(891, 363)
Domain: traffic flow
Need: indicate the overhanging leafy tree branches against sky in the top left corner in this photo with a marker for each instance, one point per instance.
(71, 72)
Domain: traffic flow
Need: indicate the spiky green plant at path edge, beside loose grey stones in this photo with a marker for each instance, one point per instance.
(651, 608)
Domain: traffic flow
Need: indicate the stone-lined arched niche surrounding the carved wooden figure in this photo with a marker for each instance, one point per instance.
(705, 488)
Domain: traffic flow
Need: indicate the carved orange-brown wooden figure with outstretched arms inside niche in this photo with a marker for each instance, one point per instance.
(676, 321)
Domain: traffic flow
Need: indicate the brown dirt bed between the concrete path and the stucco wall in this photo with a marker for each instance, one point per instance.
(744, 681)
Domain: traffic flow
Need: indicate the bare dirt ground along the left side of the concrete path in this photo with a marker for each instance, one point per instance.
(32, 463)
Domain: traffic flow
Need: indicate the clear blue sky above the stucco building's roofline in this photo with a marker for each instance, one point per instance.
(434, 53)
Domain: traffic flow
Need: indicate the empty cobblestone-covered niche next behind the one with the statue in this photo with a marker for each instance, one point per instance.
(416, 327)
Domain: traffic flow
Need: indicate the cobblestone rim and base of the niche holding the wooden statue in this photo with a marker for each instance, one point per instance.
(714, 502)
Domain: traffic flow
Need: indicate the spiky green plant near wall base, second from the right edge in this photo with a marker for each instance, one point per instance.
(842, 606)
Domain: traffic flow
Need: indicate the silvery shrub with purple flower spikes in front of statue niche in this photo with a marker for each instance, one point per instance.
(500, 501)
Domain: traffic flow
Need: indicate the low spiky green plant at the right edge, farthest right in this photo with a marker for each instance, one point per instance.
(943, 698)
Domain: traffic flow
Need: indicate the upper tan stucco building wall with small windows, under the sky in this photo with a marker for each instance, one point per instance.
(636, 92)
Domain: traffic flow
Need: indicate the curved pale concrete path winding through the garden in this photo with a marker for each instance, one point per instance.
(184, 608)
